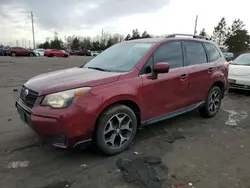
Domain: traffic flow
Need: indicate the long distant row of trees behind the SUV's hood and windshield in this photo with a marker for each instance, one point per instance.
(100, 42)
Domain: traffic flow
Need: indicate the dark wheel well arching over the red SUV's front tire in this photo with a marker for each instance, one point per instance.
(132, 105)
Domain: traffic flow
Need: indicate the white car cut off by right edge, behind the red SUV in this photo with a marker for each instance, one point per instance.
(239, 72)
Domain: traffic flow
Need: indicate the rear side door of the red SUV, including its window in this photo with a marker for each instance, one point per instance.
(199, 70)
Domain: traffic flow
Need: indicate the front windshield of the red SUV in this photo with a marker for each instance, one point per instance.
(121, 57)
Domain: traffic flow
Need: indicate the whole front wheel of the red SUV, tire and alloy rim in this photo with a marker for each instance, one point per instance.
(116, 129)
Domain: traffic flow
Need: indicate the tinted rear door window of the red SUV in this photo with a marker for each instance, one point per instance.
(195, 53)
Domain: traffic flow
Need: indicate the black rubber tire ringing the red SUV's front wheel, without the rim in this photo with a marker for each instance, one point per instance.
(105, 116)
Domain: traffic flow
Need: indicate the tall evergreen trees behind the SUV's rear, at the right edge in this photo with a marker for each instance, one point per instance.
(234, 37)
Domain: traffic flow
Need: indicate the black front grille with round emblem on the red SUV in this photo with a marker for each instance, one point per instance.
(28, 96)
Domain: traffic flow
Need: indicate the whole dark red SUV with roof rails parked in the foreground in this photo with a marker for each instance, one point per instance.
(129, 85)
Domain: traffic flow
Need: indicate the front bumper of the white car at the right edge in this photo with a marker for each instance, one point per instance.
(239, 83)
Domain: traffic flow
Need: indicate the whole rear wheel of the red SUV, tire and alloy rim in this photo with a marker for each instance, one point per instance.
(212, 104)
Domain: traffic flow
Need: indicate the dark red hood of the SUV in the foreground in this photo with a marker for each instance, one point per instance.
(69, 79)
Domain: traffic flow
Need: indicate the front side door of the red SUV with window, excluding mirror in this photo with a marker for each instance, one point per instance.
(167, 93)
